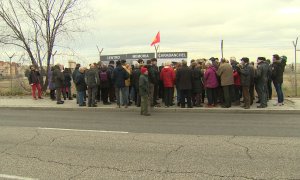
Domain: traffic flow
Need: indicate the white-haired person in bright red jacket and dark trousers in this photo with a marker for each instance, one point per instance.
(167, 75)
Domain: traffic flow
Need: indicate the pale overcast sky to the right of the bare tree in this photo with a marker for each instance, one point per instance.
(249, 28)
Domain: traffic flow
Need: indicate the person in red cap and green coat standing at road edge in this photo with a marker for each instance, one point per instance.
(144, 91)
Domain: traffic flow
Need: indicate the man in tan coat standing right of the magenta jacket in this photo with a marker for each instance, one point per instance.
(225, 73)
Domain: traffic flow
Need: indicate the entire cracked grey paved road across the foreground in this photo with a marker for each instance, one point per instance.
(163, 146)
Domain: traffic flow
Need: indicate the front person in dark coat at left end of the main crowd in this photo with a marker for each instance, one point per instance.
(58, 79)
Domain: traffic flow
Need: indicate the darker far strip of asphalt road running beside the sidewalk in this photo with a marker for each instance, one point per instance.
(272, 125)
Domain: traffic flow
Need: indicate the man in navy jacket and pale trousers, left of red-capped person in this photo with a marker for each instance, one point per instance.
(119, 76)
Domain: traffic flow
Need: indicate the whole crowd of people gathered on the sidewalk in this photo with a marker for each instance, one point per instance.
(217, 82)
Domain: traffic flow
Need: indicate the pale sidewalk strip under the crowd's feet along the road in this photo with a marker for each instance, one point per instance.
(292, 105)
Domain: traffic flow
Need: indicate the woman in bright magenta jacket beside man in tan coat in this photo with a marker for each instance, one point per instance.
(211, 84)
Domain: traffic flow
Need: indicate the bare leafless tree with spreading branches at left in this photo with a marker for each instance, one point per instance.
(35, 26)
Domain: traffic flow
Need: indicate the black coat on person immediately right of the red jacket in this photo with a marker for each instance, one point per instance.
(184, 78)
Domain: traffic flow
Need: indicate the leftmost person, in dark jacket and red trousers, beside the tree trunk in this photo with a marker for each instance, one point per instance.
(34, 81)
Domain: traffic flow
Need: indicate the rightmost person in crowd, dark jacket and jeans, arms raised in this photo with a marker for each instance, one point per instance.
(277, 76)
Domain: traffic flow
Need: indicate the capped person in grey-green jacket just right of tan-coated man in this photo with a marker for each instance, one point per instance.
(244, 71)
